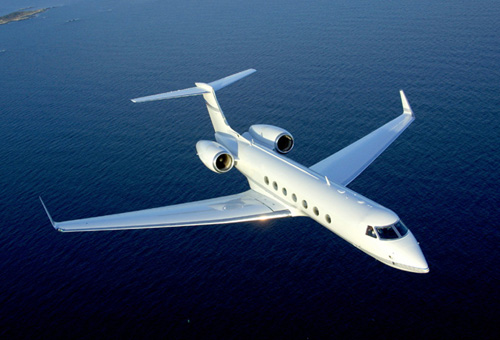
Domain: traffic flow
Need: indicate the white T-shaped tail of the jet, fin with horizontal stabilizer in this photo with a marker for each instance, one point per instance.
(208, 91)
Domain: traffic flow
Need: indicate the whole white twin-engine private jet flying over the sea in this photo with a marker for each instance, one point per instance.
(281, 187)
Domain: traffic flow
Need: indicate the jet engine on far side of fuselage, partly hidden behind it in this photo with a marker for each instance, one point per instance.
(273, 137)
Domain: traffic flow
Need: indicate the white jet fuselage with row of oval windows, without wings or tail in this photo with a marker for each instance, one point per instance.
(306, 193)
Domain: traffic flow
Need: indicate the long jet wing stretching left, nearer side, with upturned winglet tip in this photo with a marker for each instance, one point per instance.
(243, 207)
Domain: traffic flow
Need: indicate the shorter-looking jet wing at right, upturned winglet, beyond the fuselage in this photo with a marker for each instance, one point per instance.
(344, 166)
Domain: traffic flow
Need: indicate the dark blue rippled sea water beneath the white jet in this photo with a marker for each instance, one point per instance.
(329, 72)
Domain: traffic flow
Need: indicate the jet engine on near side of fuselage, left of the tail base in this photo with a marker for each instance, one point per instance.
(215, 157)
